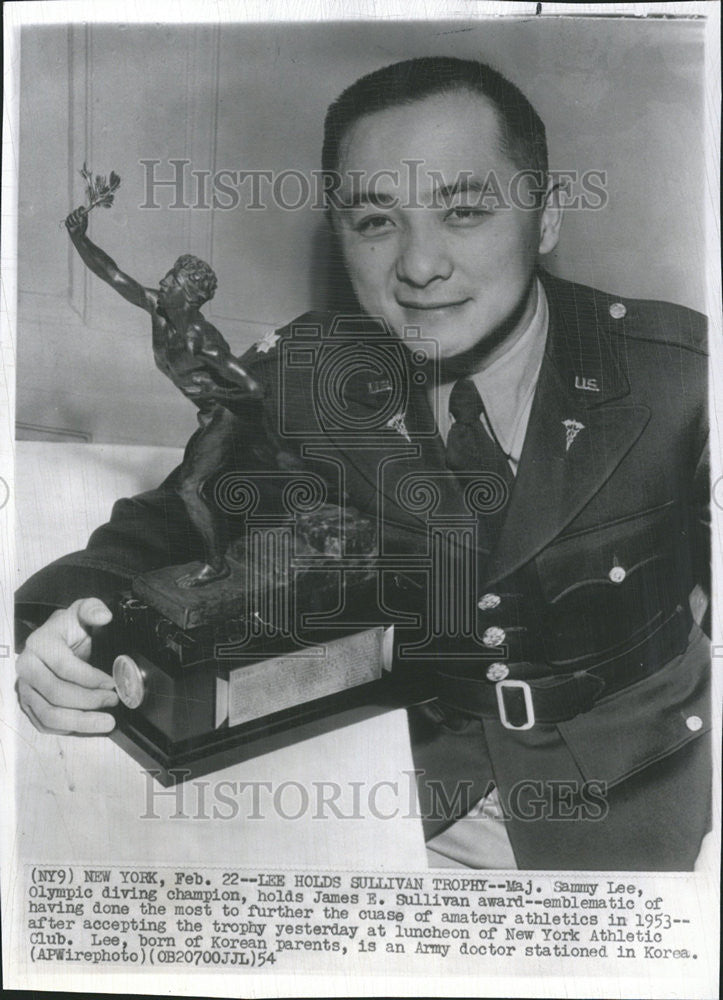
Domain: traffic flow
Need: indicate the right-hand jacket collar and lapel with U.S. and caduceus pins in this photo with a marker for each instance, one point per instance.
(581, 425)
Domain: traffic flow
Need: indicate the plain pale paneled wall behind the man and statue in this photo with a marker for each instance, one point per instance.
(621, 96)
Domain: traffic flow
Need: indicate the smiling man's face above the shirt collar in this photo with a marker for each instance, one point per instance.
(460, 267)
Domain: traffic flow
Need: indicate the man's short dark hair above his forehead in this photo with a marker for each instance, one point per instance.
(521, 128)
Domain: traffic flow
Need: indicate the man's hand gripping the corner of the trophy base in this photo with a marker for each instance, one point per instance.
(58, 689)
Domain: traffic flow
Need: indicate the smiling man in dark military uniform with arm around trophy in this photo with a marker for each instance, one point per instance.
(565, 427)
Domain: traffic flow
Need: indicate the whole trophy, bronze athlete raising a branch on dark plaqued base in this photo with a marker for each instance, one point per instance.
(276, 634)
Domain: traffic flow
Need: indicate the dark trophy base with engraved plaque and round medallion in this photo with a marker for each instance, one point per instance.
(204, 682)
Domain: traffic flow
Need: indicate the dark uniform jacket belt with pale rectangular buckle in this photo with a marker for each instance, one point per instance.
(519, 704)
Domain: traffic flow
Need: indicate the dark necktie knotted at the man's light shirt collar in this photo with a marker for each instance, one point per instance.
(470, 448)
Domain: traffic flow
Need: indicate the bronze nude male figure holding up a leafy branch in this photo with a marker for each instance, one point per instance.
(193, 354)
